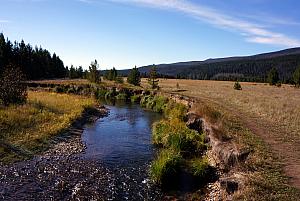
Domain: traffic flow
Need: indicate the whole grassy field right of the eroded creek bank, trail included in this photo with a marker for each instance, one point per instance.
(262, 117)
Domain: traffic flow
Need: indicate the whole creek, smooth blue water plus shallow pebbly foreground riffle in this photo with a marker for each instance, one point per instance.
(106, 160)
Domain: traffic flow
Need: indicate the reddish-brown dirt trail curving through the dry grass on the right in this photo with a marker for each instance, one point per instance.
(282, 144)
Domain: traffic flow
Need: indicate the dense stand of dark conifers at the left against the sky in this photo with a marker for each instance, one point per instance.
(35, 63)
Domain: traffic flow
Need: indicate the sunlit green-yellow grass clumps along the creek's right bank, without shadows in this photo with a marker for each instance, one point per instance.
(176, 141)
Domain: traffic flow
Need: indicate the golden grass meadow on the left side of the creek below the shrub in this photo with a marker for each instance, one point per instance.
(27, 128)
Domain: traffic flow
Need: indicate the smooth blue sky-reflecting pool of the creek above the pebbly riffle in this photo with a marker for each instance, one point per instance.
(122, 138)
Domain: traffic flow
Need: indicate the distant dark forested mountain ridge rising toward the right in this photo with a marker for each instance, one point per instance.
(243, 68)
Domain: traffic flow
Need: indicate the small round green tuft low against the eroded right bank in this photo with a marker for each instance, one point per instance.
(199, 167)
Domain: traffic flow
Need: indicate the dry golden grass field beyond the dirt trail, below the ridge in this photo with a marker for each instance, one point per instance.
(276, 105)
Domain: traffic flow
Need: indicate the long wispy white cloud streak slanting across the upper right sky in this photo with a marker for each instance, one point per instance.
(253, 32)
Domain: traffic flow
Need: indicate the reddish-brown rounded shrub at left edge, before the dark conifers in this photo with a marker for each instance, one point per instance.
(13, 90)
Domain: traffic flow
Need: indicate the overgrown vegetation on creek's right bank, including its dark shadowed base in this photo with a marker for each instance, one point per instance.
(181, 166)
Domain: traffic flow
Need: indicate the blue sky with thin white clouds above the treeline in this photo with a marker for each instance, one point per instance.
(128, 33)
